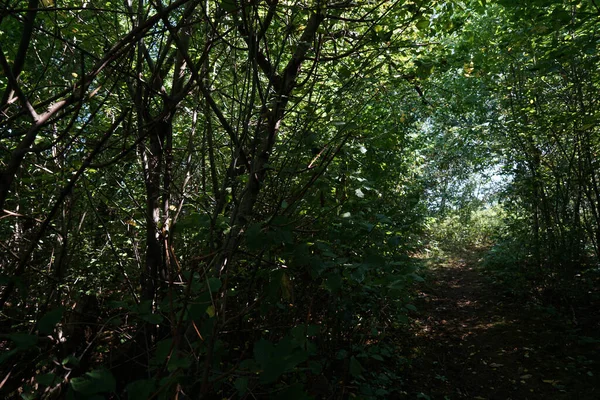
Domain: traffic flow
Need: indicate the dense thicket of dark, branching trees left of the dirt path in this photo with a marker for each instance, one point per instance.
(202, 170)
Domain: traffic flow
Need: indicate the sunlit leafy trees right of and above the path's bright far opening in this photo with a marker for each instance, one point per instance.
(518, 89)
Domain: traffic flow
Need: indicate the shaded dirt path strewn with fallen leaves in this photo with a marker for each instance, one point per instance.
(473, 339)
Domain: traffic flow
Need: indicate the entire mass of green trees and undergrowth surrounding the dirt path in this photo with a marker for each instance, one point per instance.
(222, 198)
